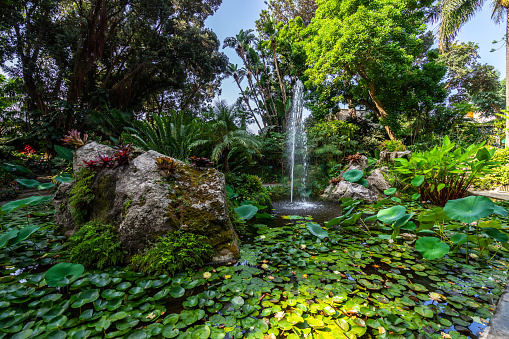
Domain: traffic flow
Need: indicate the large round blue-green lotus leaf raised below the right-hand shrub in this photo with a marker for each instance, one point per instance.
(469, 209)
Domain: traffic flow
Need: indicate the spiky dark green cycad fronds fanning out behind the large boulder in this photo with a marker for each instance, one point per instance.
(171, 135)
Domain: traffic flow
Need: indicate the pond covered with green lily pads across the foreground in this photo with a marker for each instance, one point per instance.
(295, 279)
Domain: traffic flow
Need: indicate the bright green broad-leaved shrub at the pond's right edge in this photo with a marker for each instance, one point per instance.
(446, 172)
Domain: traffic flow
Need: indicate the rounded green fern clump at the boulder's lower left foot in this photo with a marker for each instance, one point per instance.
(96, 245)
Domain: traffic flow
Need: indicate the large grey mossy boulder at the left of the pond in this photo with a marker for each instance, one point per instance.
(144, 205)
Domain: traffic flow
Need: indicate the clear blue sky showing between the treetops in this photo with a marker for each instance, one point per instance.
(234, 15)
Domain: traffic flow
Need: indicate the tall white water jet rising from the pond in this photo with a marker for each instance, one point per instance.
(296, 143)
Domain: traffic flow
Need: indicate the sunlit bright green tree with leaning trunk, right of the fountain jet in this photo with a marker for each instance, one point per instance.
(365, 43)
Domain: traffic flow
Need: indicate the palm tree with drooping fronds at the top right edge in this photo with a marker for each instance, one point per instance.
(455, 13)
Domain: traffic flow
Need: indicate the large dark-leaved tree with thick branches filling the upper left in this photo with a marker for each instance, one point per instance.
(124, 52)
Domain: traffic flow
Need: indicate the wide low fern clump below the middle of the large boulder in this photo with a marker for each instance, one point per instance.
(175, 252)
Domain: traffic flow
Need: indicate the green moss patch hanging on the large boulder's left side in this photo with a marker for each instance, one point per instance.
(81, 195)
